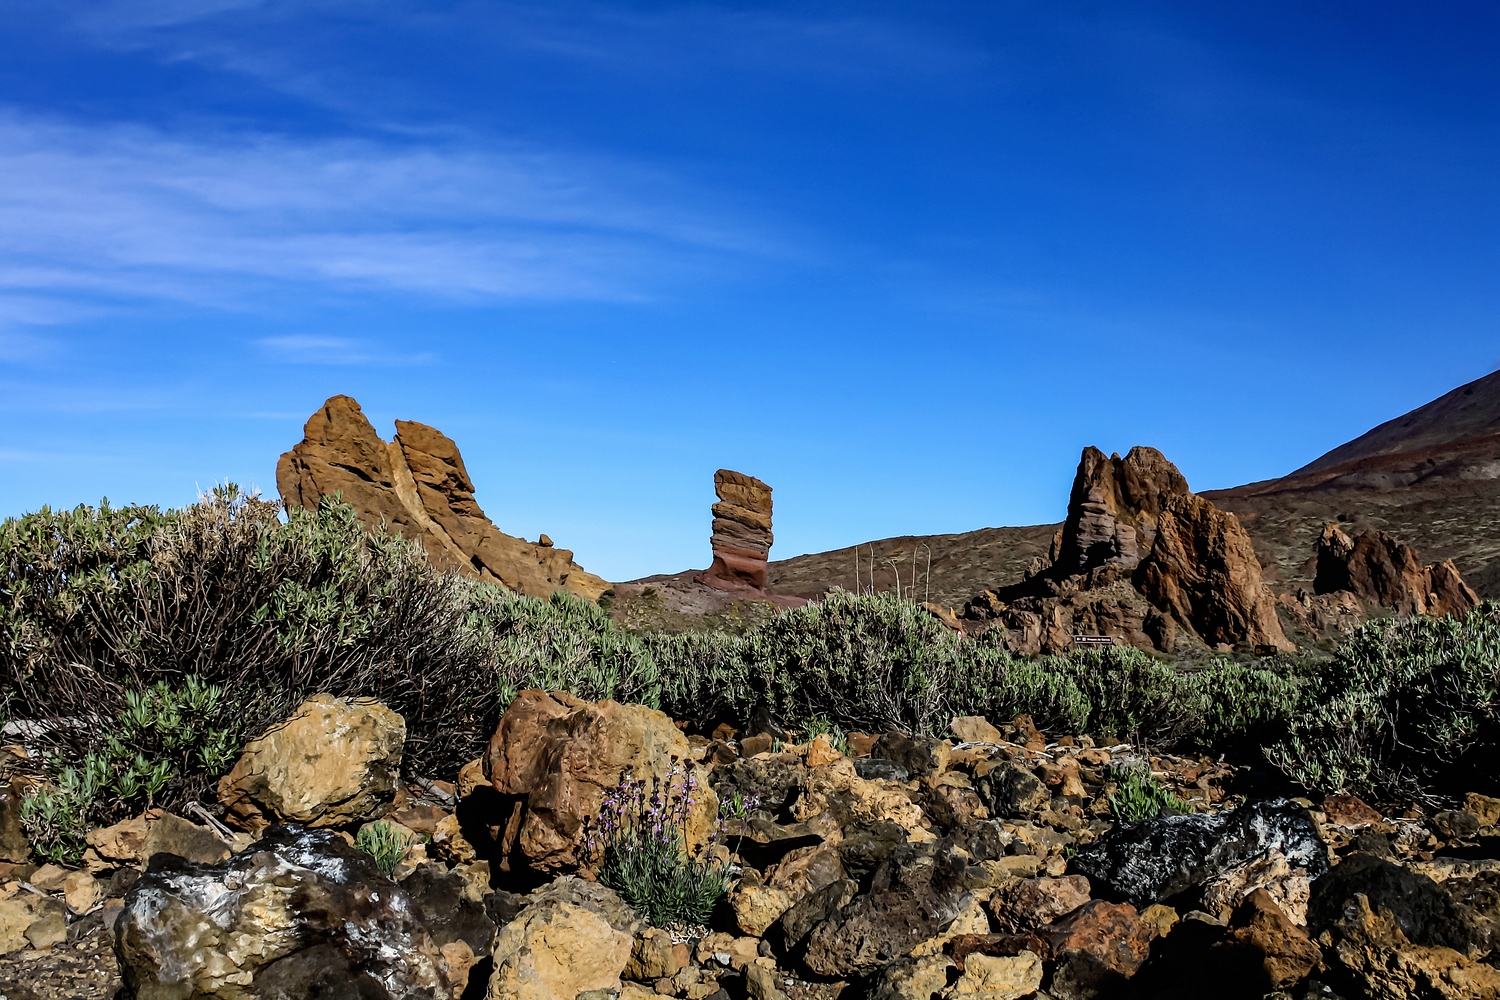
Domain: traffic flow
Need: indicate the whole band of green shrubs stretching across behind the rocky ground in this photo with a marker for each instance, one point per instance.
(155, 644)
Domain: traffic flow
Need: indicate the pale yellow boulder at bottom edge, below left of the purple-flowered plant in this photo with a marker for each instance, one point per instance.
(571, 939)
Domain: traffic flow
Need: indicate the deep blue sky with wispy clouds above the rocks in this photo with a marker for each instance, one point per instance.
(899, 260)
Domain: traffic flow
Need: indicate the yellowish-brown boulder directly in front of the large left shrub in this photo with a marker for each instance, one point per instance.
(334, 762)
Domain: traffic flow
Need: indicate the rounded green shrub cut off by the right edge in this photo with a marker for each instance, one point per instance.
(1406, 708)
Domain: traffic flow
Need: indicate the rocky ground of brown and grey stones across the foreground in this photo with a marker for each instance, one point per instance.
(995, 864)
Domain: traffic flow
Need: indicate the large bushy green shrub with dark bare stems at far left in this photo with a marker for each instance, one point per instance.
(97, 603)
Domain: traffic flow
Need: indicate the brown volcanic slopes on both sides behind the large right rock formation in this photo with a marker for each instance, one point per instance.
(1430, 478)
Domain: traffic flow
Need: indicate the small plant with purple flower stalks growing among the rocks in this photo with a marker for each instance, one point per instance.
(640, 845)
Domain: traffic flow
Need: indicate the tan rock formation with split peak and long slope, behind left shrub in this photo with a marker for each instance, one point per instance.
(418, 485)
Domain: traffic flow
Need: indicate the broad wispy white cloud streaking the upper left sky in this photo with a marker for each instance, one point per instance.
(137, 214)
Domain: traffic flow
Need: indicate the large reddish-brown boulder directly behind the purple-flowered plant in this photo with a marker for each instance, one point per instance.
(562, 755)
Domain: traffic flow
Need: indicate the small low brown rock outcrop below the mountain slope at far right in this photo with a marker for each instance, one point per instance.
(1376, 567)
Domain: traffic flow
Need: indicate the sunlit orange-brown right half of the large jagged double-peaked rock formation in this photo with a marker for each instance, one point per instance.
(1204, 570)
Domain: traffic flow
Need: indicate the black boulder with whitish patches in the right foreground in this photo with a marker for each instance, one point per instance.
(1157, 860)
